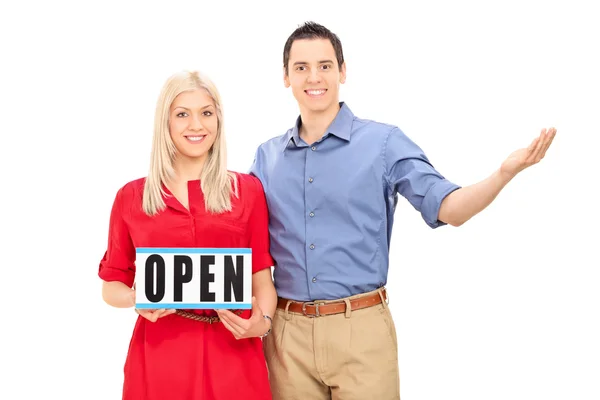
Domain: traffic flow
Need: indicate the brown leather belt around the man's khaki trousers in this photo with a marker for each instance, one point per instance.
(318, 309)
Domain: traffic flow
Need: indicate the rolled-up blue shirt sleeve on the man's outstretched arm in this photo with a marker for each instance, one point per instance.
(410, 173)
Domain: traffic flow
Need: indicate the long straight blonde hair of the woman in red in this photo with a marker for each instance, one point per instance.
(215, 180)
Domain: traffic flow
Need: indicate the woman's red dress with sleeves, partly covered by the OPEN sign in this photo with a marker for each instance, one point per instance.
(178, 358)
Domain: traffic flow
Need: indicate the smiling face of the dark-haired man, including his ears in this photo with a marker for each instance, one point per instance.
(314, 75)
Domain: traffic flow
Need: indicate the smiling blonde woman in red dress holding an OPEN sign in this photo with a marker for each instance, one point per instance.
(189, 199)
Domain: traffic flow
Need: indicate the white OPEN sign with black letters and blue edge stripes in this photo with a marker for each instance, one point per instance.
(194, 278)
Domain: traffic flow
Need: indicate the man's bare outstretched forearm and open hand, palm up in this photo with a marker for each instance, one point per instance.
(464, 203)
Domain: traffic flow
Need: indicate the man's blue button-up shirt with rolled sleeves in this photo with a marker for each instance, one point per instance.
(331, 204)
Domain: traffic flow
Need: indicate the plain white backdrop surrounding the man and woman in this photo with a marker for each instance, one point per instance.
(504, 307)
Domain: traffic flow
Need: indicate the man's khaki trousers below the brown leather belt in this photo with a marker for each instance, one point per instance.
(340, 357)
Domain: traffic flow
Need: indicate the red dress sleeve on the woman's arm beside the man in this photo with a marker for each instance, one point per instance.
(258, 225)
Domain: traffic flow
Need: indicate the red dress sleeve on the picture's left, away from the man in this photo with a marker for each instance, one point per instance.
(118, 262)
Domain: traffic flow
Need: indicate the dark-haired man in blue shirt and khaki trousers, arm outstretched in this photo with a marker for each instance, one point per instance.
(332, 183)
